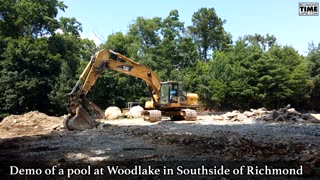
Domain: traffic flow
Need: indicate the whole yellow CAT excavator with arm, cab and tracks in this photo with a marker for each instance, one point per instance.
(168, 98)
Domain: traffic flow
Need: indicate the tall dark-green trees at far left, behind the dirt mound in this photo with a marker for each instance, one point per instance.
(33, 54)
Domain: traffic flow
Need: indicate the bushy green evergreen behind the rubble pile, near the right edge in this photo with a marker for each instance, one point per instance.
(289, 77)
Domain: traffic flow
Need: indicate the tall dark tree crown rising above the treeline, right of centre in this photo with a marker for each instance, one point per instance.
(208, 32)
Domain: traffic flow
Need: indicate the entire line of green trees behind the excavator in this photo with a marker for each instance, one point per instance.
(41, 58)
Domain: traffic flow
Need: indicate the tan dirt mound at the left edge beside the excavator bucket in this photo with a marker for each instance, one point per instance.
(31, 123)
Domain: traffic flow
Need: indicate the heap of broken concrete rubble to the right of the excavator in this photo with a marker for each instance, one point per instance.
(286, 114)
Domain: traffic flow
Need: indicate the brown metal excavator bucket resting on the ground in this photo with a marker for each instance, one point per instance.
(81, 121)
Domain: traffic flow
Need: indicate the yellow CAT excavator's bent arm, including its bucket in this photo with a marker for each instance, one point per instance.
(79, 106)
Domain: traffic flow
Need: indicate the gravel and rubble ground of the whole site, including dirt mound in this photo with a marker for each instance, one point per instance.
(258, 135)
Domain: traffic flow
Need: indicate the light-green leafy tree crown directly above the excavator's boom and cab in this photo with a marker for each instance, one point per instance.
(162, 45)
